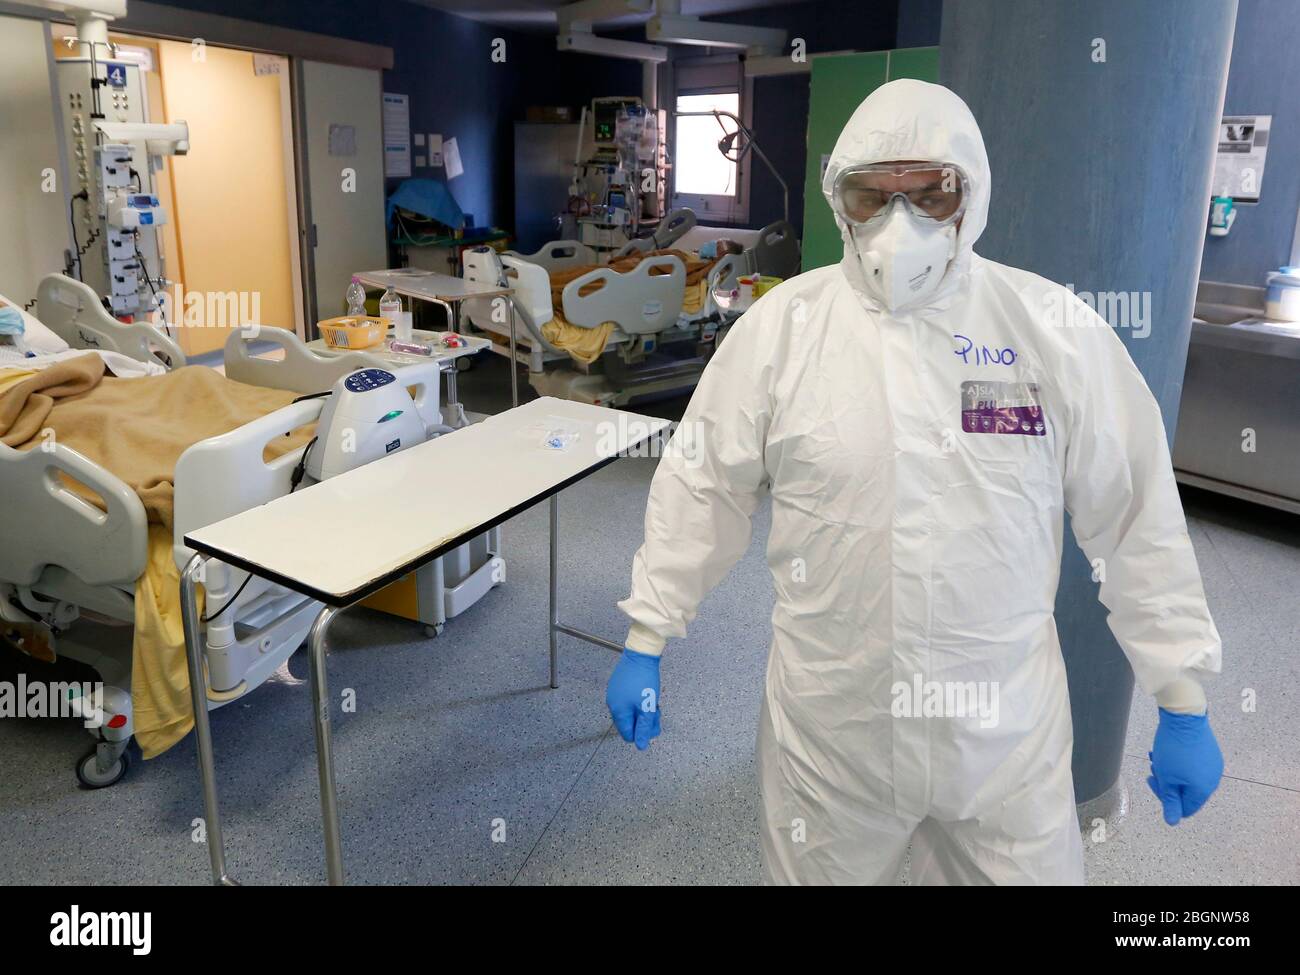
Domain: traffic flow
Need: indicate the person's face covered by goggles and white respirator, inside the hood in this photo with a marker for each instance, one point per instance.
(903, 222)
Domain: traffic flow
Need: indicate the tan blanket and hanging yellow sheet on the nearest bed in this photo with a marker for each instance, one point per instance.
(138, 430)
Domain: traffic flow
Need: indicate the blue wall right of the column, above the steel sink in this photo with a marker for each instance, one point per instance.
(1264, 79)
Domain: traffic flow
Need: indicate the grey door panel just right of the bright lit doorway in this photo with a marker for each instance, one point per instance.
(341, 180)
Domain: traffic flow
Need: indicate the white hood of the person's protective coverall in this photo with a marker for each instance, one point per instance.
(913, 120)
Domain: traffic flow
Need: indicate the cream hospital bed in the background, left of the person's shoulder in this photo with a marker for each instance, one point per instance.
(657, 348)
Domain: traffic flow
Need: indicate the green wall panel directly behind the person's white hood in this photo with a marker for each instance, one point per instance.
(837, 88)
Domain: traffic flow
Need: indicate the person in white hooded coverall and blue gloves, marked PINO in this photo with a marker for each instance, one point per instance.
(921, 419)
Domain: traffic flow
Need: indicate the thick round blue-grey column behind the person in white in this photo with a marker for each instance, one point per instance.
(1100, 120)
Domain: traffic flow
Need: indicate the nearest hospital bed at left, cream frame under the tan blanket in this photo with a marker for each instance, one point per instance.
(63, 556)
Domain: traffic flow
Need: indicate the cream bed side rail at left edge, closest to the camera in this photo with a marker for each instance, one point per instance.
(45, 523)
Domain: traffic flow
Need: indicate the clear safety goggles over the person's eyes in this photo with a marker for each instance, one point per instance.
(934, 192)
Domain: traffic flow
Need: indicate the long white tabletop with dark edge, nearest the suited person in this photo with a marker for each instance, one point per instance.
(343, 540)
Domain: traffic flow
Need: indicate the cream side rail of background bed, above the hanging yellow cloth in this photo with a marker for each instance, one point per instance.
(640, 302)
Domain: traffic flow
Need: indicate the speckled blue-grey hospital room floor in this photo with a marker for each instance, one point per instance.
(462, 766)
